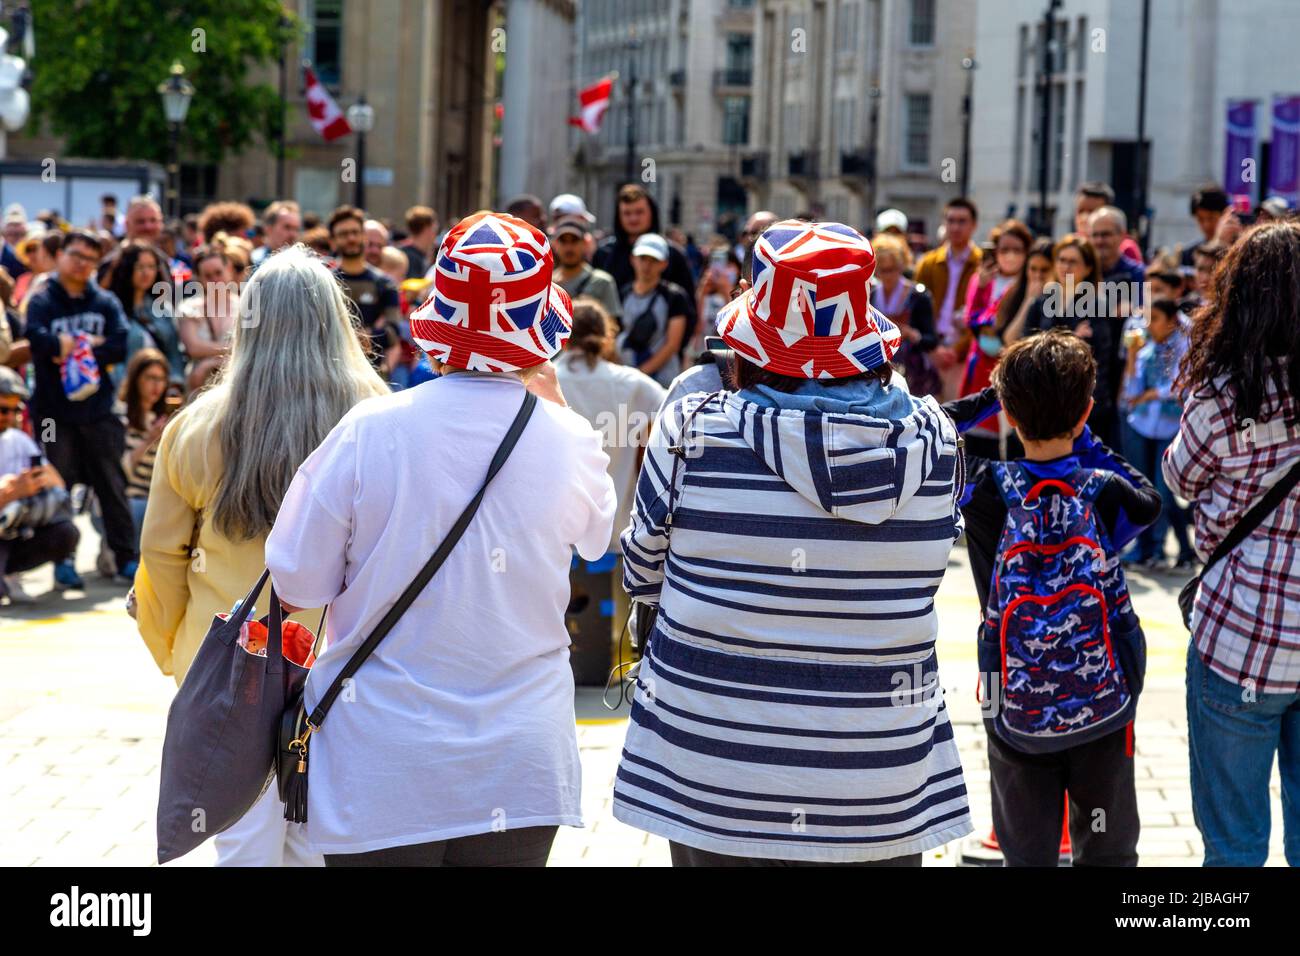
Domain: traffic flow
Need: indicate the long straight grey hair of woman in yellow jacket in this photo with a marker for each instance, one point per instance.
(296, 369)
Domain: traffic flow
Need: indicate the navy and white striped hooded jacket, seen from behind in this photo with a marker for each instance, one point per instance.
(788, 704)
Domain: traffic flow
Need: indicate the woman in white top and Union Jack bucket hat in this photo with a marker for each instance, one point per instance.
(474, 681)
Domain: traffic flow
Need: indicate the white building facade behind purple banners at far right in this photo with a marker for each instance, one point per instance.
(1202, 55)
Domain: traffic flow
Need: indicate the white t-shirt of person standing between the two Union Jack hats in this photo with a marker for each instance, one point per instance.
(621, 404)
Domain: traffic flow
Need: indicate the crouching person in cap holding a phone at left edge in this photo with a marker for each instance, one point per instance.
(36, 524)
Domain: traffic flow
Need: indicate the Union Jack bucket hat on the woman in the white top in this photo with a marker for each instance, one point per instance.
(493, 308)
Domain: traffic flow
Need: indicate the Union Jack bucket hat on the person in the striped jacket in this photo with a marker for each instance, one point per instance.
(808, 314)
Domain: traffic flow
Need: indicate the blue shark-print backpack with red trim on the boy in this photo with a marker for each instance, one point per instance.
(1060, 639)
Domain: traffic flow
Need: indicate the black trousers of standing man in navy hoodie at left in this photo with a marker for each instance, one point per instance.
(92, 455)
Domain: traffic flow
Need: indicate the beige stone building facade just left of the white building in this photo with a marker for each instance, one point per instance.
(859, 107)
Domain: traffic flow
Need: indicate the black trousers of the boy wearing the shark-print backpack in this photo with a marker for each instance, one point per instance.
(1029, 799)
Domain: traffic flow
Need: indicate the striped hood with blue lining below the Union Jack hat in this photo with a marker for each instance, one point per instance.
(855, 457)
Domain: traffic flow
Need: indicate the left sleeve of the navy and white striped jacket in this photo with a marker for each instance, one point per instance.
(645, 542)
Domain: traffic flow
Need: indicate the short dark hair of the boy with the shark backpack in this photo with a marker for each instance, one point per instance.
(1046, 383)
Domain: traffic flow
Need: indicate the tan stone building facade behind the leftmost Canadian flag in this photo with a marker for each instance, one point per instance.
(426, 68)
